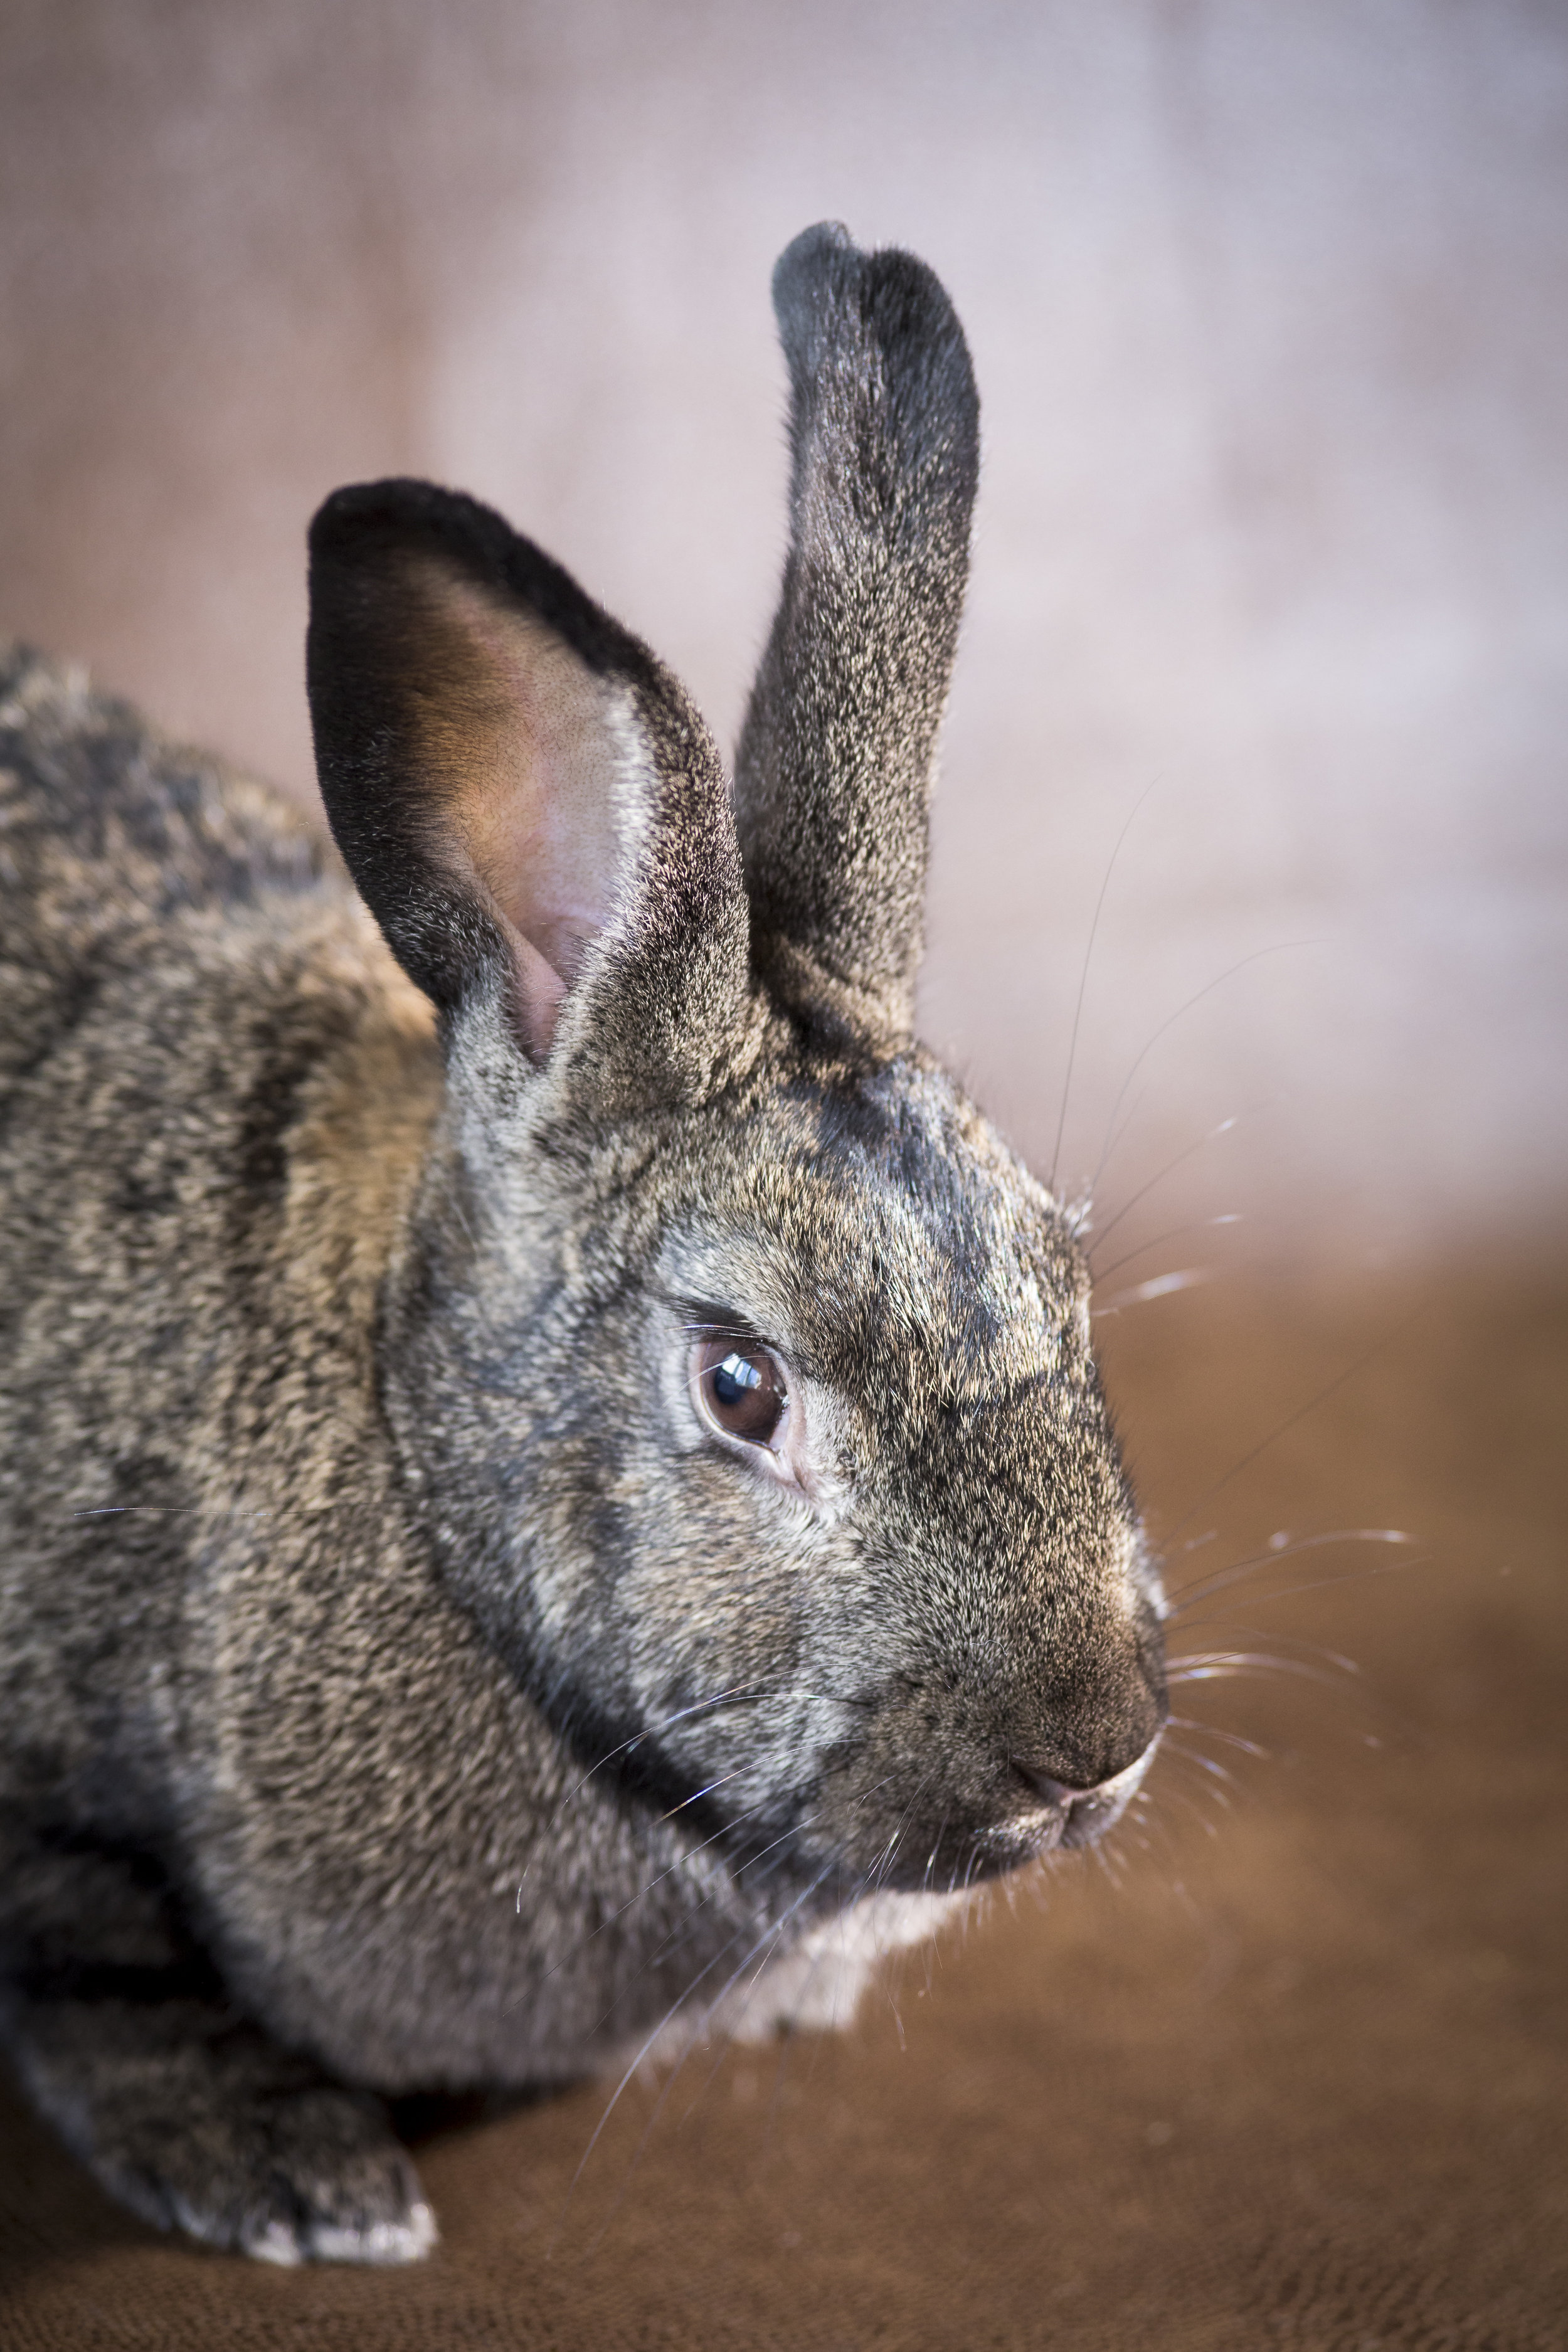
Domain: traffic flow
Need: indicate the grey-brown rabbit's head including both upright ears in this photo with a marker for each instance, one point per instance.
(739, 1368)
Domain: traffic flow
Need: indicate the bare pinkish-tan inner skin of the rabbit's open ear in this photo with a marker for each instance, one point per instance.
(523, 754)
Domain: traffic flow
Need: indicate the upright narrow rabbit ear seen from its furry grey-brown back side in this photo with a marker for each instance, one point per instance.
(833, 775)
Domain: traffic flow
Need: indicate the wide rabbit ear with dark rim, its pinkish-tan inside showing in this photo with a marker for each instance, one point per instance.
(528, 801)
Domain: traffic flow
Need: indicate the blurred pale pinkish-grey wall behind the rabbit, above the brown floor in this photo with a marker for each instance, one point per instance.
(1271, 321)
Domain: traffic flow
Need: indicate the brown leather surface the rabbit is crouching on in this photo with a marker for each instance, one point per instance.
(1296, 2083)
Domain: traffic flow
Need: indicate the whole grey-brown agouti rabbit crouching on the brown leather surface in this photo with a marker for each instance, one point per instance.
(556, 1488)
